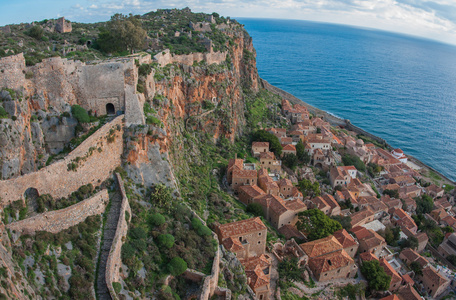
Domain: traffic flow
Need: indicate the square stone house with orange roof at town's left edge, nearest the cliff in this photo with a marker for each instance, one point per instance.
(246, 238)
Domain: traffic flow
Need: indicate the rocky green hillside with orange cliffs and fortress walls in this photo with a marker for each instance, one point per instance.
(188, 99)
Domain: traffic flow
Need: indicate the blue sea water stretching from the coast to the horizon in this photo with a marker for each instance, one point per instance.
(398, 87)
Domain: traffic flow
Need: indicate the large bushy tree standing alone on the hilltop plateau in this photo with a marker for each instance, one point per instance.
(122, 33)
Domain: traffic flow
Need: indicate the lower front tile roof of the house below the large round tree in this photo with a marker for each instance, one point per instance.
(330, 261)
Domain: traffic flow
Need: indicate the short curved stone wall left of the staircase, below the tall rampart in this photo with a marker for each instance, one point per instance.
(58, 220)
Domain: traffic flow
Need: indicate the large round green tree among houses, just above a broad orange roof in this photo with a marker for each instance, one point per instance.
(316, 225)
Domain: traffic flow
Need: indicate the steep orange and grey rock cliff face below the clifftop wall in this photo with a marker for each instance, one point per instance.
(198, 98)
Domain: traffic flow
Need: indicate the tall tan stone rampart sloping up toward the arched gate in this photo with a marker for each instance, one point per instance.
(91, 162)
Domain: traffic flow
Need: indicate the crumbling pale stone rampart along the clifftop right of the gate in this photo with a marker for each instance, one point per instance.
(166, 57)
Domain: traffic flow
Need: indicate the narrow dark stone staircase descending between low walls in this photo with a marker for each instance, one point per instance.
(109, 231)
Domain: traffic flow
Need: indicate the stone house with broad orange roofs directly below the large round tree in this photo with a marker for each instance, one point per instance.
(328, 260)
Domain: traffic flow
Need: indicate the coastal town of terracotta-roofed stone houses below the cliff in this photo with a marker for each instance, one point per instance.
(391, 214)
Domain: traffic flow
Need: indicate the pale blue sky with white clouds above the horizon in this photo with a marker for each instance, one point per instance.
(433, 19)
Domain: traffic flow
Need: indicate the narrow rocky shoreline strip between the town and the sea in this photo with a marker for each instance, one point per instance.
(336, 121)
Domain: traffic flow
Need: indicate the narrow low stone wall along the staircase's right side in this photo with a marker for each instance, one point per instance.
(114, 259)
